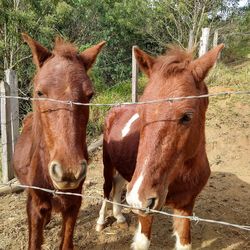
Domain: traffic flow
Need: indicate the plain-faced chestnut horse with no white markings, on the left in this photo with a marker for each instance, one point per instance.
(51, 151)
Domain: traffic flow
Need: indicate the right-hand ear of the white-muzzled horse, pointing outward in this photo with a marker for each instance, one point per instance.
(201, 66)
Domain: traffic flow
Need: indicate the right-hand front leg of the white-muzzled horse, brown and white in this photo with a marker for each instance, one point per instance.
(182, 228)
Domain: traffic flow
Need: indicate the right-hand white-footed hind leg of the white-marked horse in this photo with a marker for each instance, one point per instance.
(118, 184)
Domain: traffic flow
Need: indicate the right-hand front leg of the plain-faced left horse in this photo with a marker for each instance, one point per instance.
(69, 221)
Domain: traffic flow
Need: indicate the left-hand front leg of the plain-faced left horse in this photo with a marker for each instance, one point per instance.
(37, 212)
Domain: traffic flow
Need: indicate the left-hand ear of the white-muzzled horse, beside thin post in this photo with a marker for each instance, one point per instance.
(144, 60)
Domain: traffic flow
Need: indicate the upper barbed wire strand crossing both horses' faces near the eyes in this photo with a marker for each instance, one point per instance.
(170, 99)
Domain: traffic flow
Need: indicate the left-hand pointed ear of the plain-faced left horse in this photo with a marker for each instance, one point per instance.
(40, 54)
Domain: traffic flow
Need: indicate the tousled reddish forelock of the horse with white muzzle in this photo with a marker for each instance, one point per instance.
(175, 60)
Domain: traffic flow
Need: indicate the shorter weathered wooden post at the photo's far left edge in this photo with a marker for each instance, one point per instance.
(6, 135)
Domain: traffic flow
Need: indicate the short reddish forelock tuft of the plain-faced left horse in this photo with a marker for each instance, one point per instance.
(65, 49)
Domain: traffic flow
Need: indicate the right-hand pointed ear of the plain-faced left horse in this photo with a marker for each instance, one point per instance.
(89, 55)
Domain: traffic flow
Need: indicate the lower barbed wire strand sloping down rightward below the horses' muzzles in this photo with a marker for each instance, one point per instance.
(147, 210)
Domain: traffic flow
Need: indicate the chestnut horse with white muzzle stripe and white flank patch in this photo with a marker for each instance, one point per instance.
(159, 148)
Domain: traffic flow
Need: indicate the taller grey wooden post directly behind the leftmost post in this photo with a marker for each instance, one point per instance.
(11, 80)
